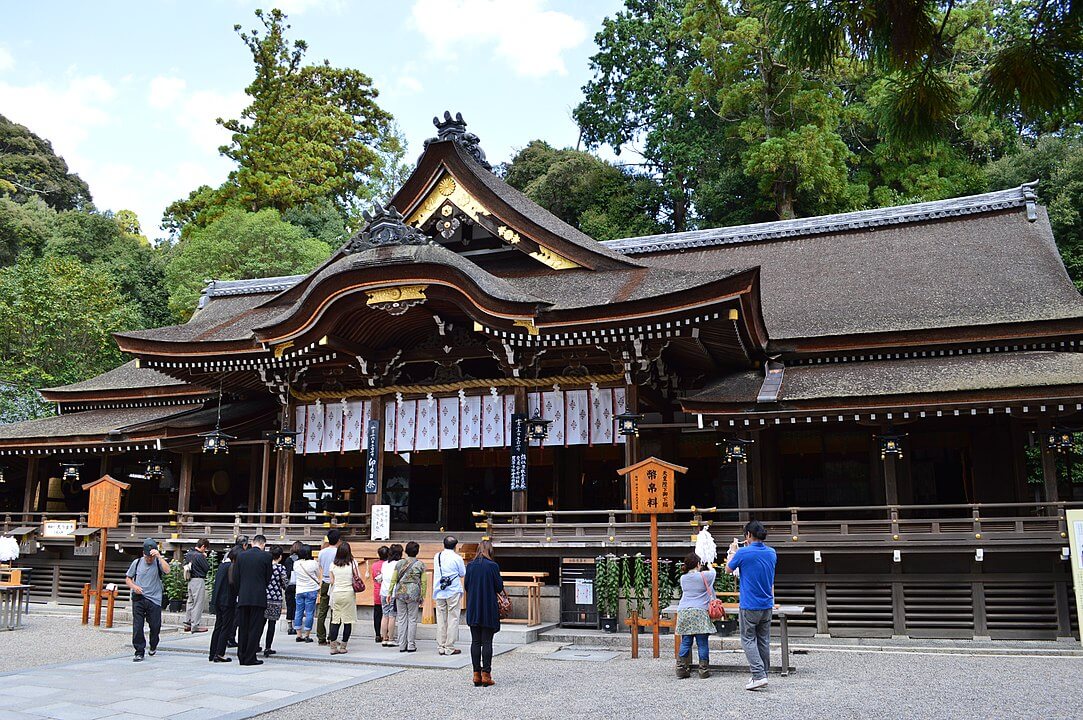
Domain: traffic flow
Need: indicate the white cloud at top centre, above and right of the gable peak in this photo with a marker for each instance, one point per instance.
(524, 34)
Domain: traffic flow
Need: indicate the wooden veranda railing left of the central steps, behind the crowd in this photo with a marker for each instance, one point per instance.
(217, 527)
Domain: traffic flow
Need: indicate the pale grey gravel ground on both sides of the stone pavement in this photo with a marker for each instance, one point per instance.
(882, 686)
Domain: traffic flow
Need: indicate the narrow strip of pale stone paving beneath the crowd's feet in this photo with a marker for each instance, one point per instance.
(363, 650)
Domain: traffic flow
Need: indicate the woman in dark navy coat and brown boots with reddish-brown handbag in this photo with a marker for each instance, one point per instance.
(486, 598)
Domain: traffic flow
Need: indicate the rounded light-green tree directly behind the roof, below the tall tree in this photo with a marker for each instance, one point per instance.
(238, 246)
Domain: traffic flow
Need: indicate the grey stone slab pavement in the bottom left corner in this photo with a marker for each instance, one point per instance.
(175, 686)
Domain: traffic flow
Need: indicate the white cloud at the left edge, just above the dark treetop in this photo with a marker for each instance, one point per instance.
(63, 115)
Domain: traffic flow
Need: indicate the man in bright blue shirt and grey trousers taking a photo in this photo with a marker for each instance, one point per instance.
(755, 564)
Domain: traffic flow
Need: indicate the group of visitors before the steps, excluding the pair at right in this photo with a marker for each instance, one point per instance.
(255, 584)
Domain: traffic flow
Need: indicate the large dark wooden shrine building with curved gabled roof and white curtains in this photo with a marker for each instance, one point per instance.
(895, 392)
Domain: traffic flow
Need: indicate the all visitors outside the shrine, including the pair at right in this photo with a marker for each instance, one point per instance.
(255, 585)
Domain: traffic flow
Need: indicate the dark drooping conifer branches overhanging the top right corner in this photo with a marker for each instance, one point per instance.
(1035, 74)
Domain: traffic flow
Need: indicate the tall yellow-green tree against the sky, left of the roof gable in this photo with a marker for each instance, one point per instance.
(310, 133)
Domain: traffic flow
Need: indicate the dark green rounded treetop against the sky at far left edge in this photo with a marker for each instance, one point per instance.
(30, 168)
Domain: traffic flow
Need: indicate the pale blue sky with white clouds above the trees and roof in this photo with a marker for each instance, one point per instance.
(128, 93)
